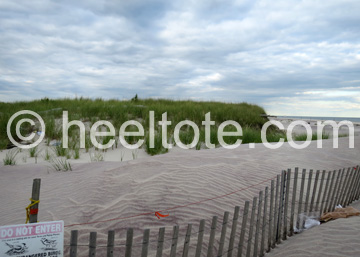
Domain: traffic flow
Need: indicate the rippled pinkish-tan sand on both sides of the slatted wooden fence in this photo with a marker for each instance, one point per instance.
(117, 195)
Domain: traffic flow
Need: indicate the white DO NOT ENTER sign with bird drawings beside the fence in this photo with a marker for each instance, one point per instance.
(43, 239)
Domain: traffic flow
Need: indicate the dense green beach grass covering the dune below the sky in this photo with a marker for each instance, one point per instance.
(249, 116)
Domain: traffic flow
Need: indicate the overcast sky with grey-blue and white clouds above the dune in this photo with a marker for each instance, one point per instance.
(290, 57)
